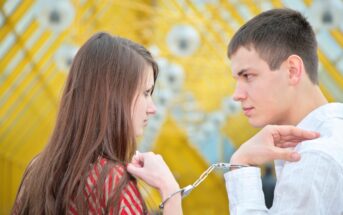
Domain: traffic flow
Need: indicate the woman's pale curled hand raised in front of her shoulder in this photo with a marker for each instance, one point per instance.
(152, 169)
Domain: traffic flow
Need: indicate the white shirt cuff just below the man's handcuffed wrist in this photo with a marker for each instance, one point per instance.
(244, 187)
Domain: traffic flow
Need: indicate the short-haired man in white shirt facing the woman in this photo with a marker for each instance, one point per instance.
(274, 60)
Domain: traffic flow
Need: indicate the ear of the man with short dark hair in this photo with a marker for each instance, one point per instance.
(295, 68)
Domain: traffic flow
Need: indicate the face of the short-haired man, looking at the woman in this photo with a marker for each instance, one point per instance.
(265, 95)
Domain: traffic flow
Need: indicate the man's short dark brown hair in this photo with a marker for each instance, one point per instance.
(275, 35)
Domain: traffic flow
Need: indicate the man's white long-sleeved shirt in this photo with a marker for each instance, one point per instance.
(313, 185)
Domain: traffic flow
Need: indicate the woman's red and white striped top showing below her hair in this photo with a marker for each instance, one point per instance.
(130, 199)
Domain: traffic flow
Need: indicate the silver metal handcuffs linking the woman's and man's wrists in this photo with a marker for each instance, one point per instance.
(186, 190)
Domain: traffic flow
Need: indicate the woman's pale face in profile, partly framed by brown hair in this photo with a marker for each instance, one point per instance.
(143, 106)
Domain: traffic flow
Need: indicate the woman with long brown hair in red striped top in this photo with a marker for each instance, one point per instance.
(105, 105)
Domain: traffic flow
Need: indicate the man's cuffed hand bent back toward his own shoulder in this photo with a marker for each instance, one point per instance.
(272, 143)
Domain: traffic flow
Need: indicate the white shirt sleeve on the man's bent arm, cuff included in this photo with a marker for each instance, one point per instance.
(310, 186)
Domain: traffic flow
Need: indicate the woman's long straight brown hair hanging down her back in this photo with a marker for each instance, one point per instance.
(94, 120)
